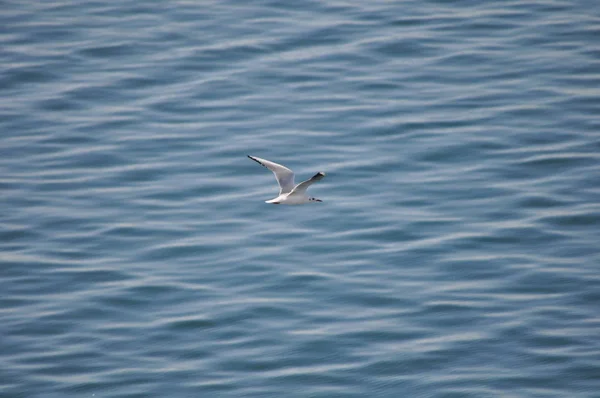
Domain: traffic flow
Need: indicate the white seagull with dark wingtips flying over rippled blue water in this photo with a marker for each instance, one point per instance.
(289, 194)
